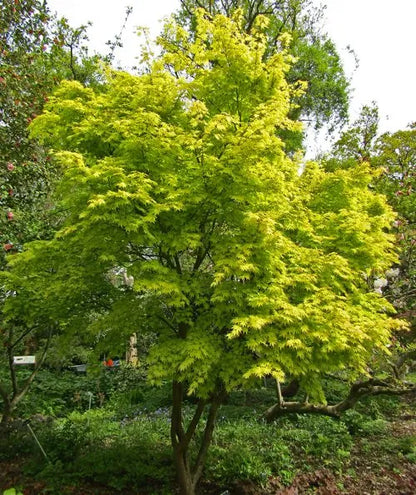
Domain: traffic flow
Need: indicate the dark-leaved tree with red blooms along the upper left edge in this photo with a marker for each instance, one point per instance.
(25, 81)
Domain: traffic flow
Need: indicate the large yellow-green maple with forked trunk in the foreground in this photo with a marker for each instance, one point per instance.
(186, 218)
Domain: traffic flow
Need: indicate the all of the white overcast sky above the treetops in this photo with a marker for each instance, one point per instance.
(381, 32)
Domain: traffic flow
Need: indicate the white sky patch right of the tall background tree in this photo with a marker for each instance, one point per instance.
(383, 36)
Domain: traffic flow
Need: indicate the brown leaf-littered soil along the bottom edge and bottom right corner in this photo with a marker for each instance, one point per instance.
(379, 465)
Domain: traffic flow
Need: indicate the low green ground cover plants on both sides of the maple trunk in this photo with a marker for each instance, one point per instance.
(123, 445)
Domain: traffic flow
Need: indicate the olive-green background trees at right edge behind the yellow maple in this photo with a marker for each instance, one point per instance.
(392, 157)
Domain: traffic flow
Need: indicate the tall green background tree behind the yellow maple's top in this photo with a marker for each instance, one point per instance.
(325, 102)
